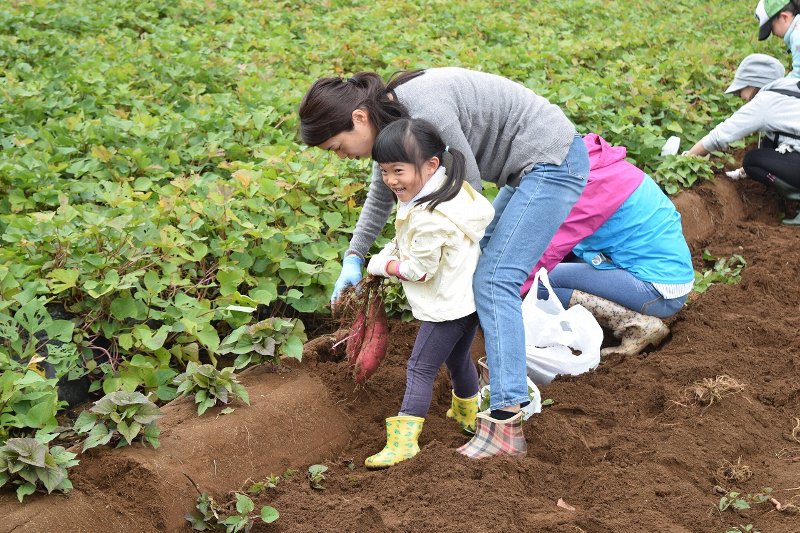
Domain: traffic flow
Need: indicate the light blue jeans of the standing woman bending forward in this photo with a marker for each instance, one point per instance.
(526, 218)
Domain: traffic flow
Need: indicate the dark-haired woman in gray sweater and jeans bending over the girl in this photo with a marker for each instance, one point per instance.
(509, 136)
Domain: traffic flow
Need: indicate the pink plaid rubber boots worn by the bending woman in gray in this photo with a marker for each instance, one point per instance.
(495, 437)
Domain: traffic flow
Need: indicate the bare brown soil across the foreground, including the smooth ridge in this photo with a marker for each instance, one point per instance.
(638, 445)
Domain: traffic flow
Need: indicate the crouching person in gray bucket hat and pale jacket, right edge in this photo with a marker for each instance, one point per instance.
(773, 109)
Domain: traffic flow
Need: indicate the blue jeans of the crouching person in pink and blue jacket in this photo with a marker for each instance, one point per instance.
(613, 284)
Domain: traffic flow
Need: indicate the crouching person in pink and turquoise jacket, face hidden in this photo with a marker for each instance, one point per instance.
(633, 264)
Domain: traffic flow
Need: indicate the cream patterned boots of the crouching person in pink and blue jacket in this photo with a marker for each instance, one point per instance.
(636, 330)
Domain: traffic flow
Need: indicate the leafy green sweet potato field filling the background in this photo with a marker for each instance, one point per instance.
(157, 209)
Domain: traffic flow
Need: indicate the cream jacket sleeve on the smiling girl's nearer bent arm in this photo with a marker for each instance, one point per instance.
(431, 232)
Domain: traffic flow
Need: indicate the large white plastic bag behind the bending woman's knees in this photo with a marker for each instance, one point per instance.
(553, 335)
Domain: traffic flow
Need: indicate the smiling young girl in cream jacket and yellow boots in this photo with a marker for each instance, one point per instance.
(439, 223)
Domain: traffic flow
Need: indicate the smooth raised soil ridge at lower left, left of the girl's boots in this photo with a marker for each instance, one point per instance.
(142, 489)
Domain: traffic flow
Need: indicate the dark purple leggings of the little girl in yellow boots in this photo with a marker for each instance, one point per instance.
(440, 342)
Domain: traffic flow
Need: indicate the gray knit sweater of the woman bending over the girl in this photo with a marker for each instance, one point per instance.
(502, 128)
